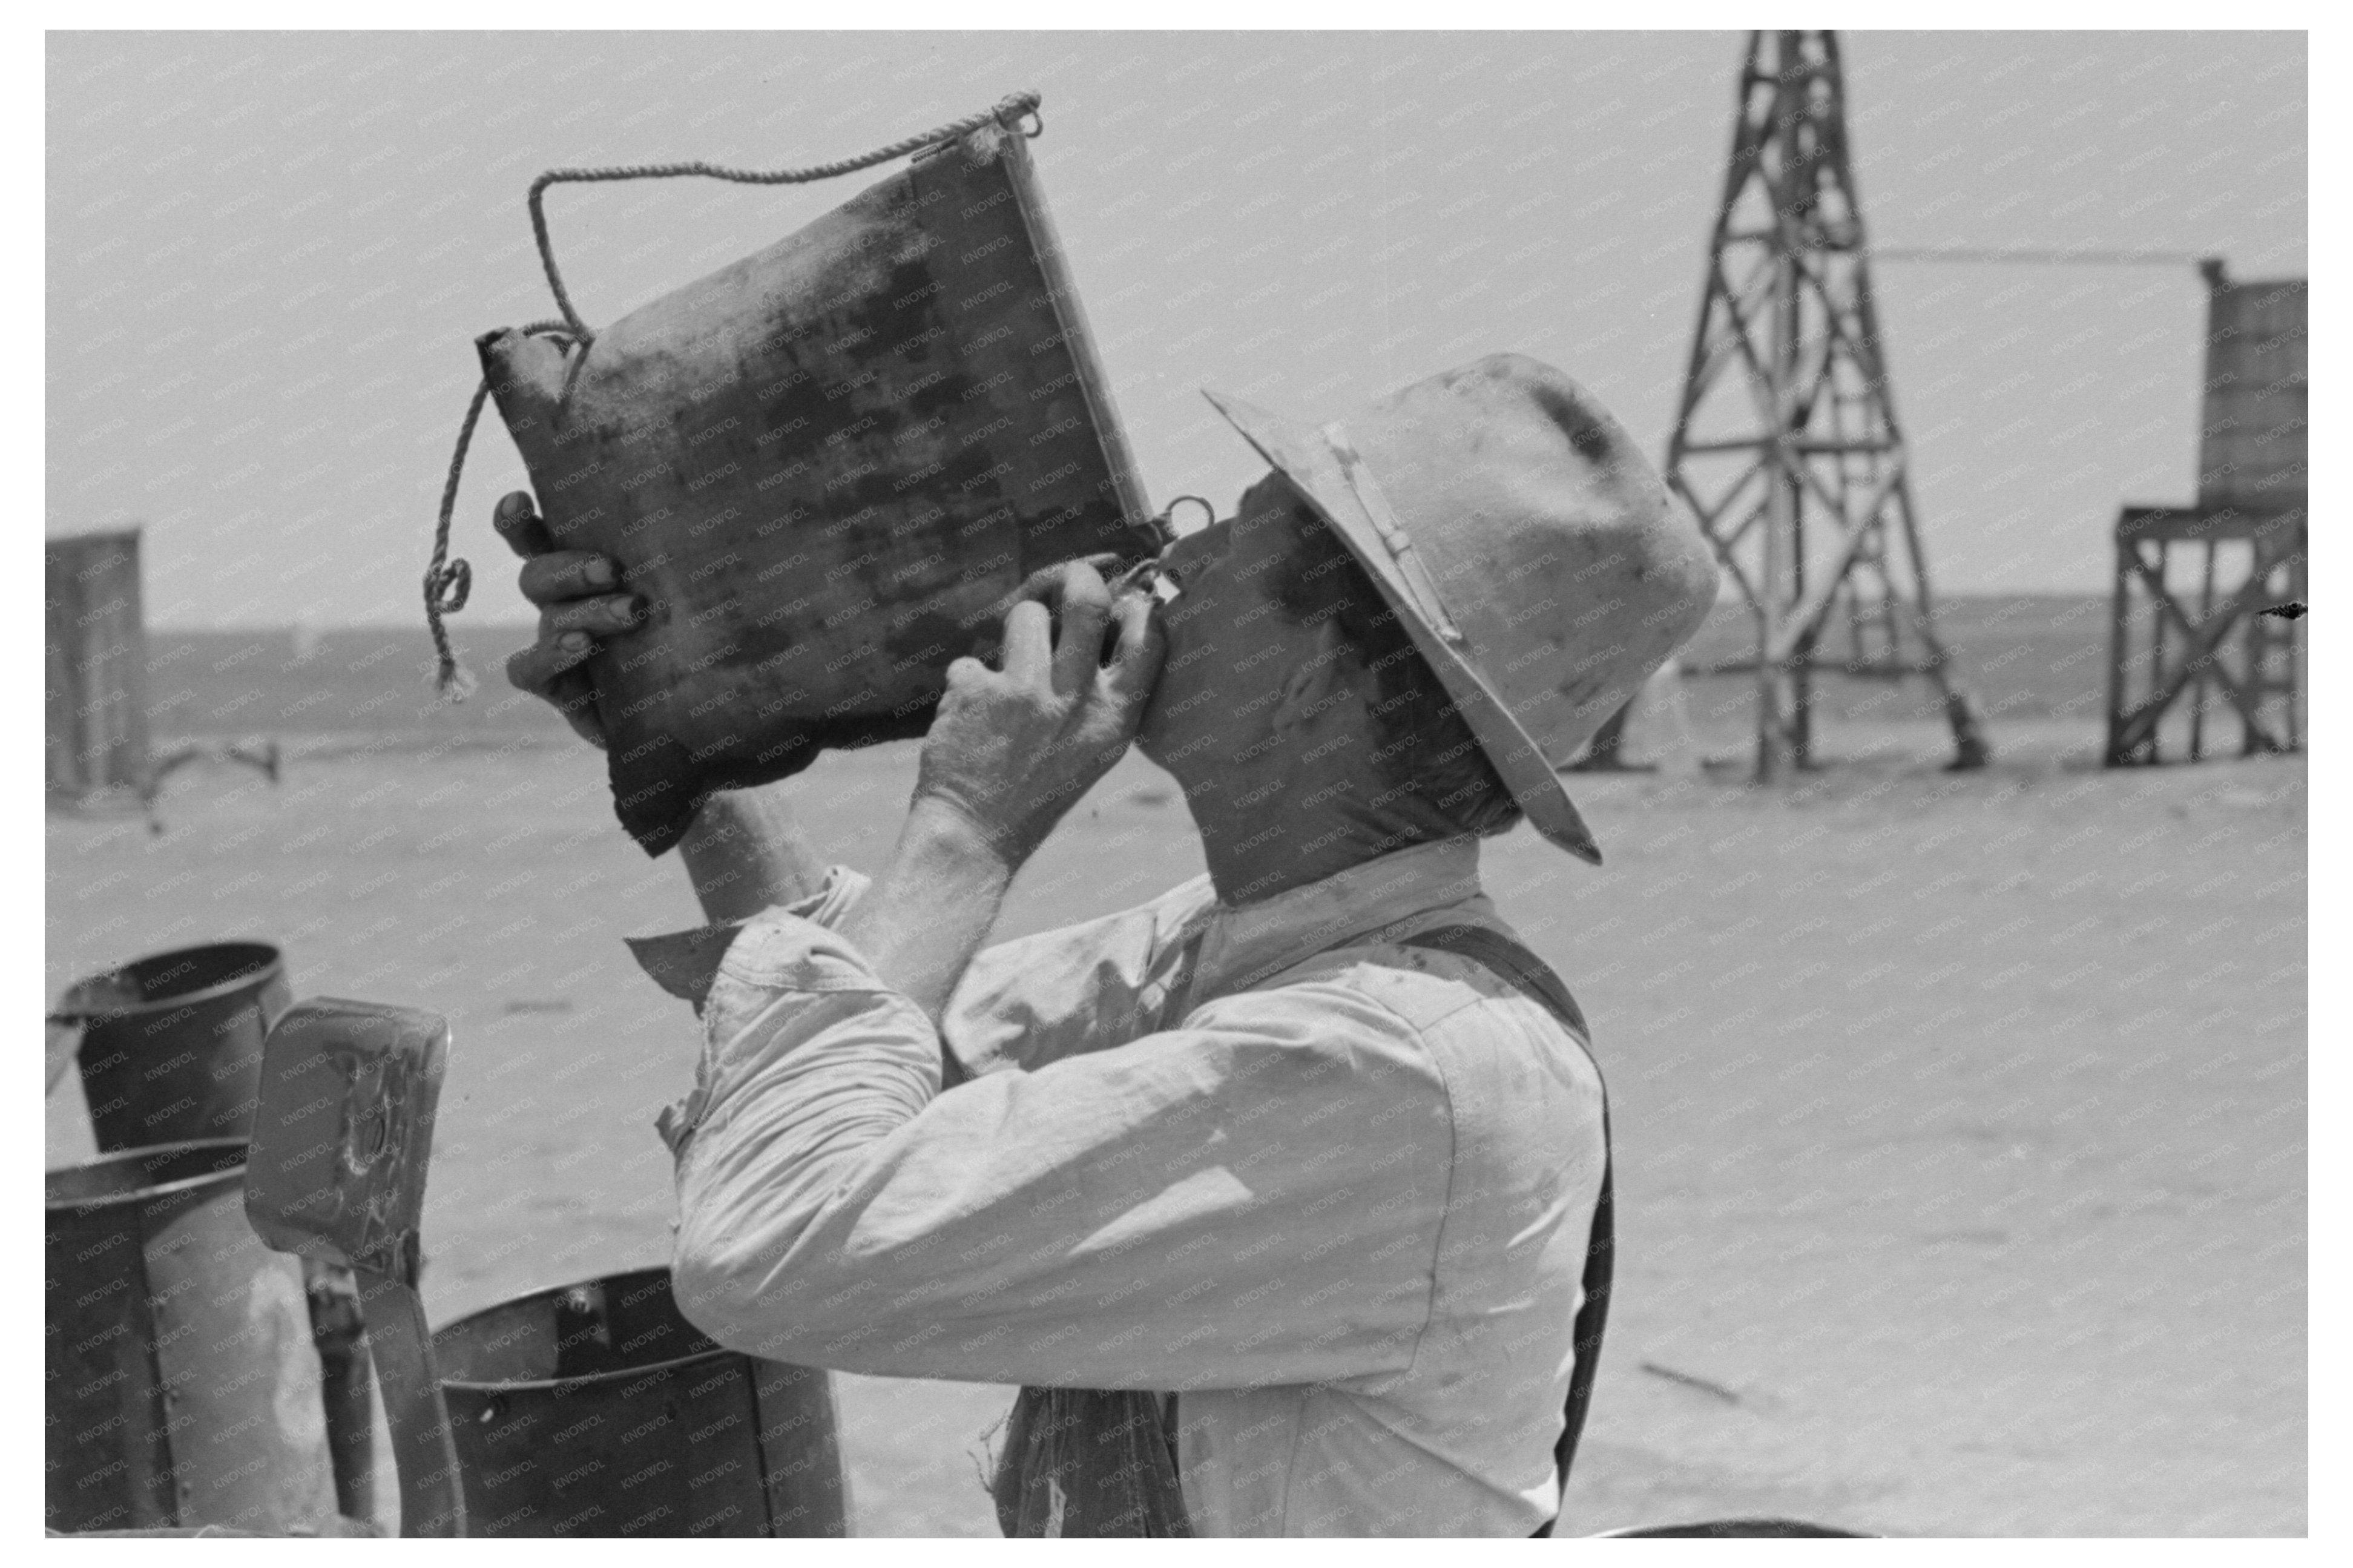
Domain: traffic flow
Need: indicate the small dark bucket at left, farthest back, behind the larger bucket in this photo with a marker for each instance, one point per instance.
(173, 1044)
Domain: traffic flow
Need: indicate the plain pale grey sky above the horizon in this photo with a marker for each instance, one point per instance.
(269, 253)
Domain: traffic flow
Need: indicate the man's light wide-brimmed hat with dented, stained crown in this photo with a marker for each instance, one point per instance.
(1528, 547)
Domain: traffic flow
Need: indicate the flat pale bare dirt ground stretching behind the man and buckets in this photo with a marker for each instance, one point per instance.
(1961, 1119)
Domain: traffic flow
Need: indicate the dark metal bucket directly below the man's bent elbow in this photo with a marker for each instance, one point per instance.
(601, 1411)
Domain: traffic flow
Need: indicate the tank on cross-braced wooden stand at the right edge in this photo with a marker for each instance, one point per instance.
(2194, 585)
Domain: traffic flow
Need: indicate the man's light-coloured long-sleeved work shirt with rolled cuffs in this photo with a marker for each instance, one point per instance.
(1331, 1190)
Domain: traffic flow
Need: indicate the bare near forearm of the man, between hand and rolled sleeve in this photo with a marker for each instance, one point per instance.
(926, 917)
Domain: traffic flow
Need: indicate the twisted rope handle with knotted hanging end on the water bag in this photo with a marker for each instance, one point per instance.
(451, 583)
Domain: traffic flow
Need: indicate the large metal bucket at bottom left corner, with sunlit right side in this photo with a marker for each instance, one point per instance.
(182, 1386)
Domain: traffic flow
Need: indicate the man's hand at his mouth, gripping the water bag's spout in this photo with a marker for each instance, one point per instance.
(1015, 748)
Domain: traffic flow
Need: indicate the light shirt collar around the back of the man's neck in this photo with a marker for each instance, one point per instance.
(1251, 943)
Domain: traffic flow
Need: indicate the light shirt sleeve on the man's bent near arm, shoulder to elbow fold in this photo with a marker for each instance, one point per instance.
(1241, 1202)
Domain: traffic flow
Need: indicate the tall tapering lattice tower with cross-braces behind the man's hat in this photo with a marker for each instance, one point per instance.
(1787, 441)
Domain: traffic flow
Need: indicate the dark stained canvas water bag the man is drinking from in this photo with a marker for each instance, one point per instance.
(820, 467)
